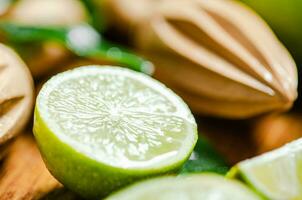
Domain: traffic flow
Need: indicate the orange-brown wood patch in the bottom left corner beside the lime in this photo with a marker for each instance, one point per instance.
(23, 174)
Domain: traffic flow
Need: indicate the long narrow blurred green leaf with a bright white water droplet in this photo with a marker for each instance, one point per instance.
(83, 40)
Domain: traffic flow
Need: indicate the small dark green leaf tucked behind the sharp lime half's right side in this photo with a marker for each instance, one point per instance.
(205, 159)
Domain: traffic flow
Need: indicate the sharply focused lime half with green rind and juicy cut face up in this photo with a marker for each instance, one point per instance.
(99, 128)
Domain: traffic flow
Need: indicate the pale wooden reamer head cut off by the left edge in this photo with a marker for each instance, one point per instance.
(16, 94)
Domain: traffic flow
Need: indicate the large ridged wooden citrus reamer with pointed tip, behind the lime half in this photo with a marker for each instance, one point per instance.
(219, 55)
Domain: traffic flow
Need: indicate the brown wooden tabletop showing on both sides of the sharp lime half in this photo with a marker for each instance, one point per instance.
(23, 174)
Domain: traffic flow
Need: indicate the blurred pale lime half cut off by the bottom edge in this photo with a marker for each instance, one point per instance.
(192, 187)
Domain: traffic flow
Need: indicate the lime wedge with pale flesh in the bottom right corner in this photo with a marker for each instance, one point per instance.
(276, 174)
